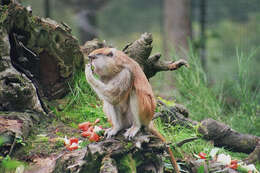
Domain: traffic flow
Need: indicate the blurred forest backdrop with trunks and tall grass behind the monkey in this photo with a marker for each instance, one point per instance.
(221, 34)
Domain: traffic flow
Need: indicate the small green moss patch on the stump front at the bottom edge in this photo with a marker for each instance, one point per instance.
(127, 164)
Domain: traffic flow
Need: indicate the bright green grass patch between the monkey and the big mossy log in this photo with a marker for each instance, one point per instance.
(82, 103)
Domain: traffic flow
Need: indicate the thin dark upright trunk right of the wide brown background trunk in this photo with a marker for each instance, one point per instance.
(203, 13)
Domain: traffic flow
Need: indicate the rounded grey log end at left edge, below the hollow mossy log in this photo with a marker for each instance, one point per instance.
(17, 93)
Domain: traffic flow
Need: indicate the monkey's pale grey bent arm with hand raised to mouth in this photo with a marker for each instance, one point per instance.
(115, 90)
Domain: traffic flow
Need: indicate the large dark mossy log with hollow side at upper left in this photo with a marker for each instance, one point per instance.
(42, 49)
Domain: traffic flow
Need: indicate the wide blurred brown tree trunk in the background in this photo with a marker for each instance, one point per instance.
(177, 26)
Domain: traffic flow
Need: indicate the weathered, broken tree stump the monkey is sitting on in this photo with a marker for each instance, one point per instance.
(143, 154)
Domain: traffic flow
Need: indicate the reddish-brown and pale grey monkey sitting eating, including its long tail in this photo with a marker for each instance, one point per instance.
(128, 100)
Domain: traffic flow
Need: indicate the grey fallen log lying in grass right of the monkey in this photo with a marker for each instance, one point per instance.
(219, 133)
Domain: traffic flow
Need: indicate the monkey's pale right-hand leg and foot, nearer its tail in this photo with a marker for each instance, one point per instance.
(136, 124)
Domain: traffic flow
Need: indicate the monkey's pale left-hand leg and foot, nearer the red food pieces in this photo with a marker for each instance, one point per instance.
(115, 117)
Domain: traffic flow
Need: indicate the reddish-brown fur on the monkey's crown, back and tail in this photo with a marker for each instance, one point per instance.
(146, 100)
